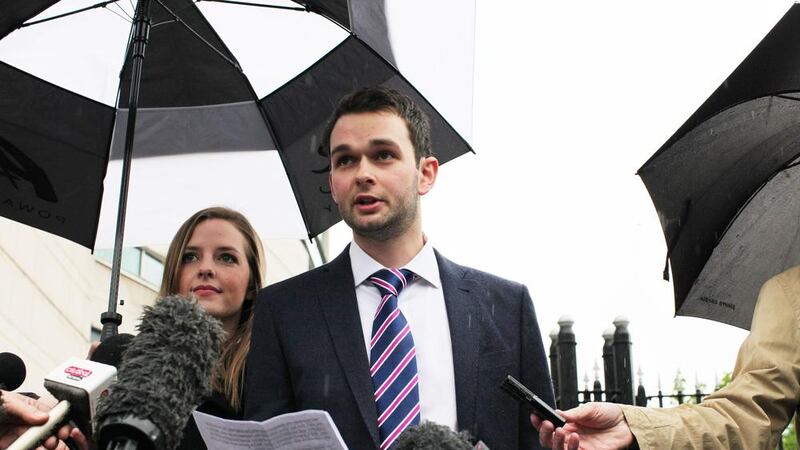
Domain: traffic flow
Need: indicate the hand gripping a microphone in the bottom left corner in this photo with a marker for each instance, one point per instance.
(20, 413)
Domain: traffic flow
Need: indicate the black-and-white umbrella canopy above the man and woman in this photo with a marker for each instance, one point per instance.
(205, 134)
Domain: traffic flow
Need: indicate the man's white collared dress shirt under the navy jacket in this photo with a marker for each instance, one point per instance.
(422, 304)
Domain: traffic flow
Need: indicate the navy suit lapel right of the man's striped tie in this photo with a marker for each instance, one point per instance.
(464, 334)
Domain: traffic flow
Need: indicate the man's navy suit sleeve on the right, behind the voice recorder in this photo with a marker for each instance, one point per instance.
(533, 369)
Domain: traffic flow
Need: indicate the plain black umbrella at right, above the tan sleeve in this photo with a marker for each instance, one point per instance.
(726, 185)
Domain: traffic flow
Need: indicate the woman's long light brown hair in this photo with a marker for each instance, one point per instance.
(228, 376)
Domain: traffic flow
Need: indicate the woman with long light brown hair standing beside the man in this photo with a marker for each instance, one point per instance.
(216, 257)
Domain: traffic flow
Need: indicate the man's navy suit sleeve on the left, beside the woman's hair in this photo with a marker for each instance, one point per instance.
(268, 390)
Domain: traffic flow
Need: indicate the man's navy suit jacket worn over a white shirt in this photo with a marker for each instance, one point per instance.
(308, 352)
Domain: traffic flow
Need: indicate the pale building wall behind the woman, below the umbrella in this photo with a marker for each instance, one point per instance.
(52, 292)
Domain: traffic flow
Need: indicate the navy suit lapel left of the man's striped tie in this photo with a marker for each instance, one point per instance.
(337, 298)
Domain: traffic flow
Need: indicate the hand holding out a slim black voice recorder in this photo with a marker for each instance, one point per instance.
(593, 426)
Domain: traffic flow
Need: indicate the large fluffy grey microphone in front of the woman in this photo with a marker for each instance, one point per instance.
(164, 375)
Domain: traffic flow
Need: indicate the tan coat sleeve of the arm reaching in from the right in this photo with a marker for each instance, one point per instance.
(752, 411)
